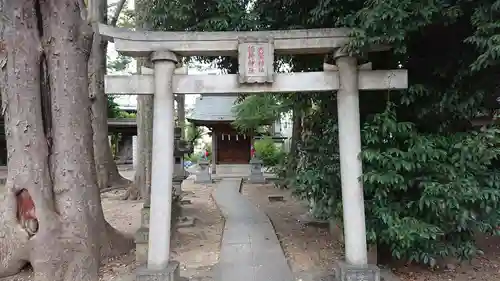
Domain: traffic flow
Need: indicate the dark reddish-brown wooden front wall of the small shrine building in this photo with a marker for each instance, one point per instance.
(232, 147)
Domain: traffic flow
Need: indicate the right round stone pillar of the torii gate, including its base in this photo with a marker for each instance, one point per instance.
(351, 172)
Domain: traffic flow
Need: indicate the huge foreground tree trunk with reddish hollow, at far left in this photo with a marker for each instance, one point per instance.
(57, 223)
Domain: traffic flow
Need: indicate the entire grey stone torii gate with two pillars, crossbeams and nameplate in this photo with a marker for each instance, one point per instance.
(256, 75)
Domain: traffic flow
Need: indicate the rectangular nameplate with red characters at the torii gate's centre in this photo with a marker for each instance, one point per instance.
(255, 60)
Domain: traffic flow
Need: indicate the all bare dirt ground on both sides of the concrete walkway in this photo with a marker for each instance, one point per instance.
(311, 250)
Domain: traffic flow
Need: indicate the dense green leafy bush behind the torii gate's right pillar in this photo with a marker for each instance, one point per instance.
(426, 195)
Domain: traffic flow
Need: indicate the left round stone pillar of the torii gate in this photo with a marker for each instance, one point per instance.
(162, 164)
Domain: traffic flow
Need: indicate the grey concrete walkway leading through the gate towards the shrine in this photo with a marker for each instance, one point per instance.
(250, 250)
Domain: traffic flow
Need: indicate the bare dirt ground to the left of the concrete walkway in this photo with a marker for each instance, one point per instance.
(196, 247)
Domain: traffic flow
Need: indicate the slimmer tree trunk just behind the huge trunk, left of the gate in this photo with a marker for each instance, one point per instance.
(107, 171)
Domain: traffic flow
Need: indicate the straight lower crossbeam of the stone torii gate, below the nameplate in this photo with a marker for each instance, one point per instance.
(284, 83)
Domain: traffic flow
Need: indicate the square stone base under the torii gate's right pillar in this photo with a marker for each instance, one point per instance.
(347, 272)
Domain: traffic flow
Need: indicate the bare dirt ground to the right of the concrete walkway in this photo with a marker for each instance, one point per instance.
(311, 249)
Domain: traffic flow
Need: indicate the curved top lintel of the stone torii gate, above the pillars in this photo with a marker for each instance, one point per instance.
(225, 43)
